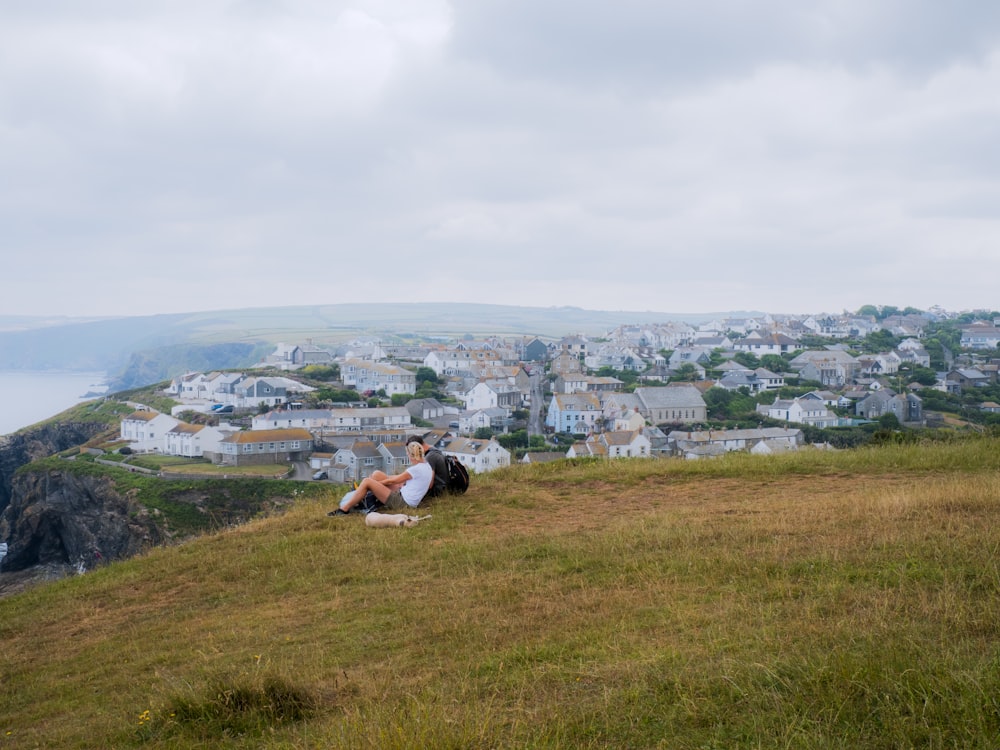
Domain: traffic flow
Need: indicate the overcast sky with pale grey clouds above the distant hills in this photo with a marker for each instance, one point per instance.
(780, 155)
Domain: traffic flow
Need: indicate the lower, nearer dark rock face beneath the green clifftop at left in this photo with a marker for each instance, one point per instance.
(58, 518)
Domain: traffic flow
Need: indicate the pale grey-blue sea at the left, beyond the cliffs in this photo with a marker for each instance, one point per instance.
(27, 397)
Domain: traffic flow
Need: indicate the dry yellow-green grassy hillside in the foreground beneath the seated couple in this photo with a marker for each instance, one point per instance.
(815, 600)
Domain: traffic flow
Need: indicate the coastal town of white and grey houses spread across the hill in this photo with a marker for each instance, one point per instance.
(643, 391)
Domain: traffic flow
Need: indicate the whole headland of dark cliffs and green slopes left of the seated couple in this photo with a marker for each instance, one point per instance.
(60, 516)
